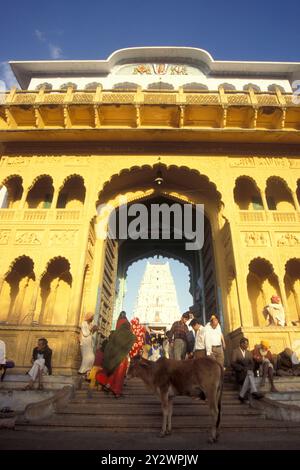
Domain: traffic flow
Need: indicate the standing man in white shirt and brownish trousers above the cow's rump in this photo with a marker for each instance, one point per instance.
(214, 340)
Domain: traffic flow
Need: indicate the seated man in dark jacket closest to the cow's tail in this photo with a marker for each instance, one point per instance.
(242, 364)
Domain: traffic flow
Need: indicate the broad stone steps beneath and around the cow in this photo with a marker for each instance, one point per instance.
(140, 412)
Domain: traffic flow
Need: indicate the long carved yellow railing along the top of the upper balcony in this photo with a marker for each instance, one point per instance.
(140, 96)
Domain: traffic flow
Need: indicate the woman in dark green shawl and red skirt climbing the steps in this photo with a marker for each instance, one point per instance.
(115, 360)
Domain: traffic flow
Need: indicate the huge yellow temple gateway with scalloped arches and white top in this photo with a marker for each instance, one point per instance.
(152, 124)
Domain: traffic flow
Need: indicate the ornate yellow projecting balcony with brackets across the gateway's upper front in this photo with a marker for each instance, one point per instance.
(222, 109)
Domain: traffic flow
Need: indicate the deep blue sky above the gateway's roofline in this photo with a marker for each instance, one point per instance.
(232, 30)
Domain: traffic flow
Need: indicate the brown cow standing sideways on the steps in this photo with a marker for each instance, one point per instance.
(192, 377)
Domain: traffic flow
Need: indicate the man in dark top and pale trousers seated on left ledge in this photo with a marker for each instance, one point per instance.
(41, 360)
